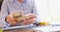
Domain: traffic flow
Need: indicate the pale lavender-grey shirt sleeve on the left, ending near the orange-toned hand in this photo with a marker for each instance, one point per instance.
(3, 14)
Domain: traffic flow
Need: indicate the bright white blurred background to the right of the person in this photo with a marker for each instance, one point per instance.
(49, 10)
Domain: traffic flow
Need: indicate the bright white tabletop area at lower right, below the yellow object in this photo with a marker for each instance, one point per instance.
(48, 28)
